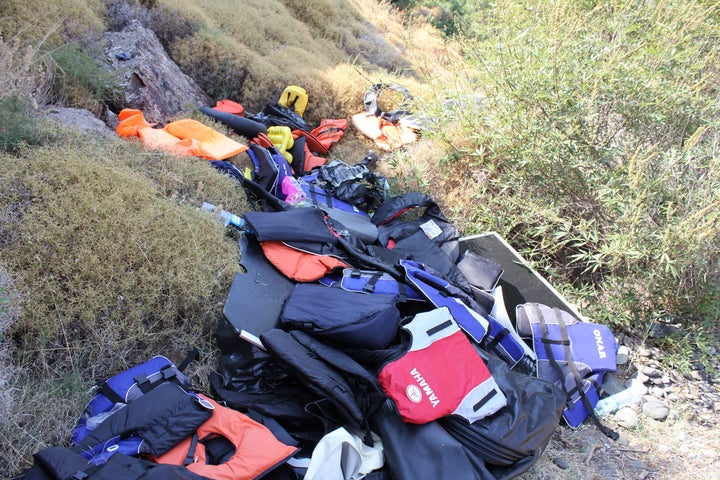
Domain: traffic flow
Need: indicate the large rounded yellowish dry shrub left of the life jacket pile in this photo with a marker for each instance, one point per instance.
(118, 268)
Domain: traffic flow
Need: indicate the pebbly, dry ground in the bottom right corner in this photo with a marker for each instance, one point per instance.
(671, 434)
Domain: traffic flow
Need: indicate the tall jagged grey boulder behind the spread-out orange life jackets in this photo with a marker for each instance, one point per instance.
(150, 80)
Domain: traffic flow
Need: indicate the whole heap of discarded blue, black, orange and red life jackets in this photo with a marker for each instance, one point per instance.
(361, 342)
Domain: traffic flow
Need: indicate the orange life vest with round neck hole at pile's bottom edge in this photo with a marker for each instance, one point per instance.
(257, 451)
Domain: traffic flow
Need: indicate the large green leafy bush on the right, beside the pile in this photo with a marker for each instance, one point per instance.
(595, 128)
